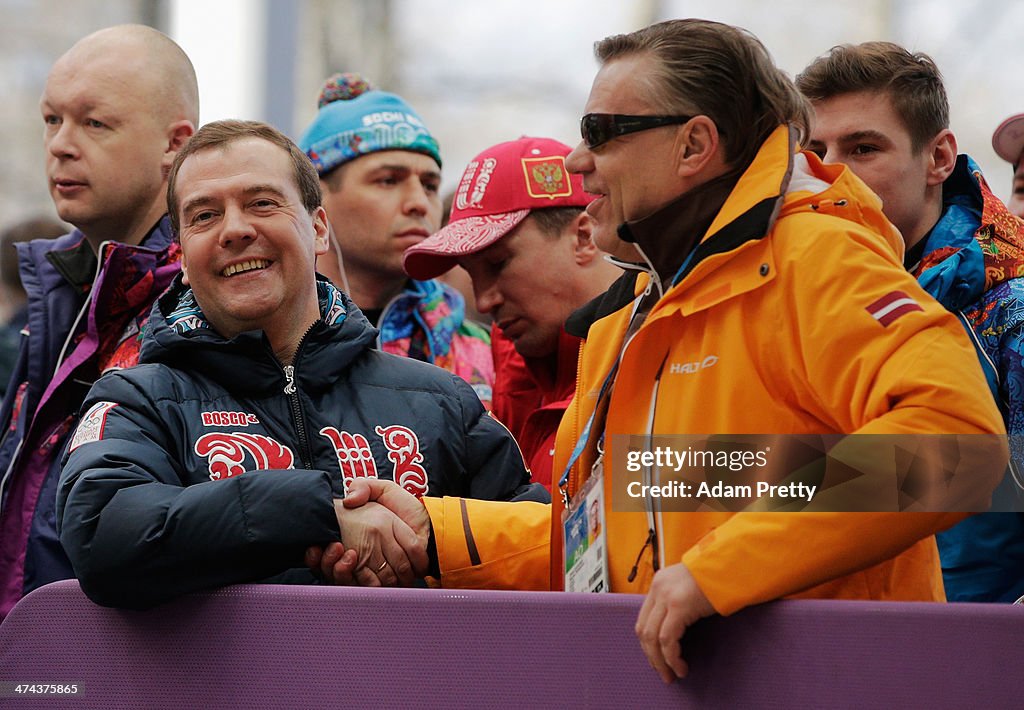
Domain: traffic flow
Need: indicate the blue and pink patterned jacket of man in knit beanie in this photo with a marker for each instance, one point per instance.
(428, 322)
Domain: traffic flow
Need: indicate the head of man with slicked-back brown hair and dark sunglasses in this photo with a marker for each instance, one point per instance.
(710, 96)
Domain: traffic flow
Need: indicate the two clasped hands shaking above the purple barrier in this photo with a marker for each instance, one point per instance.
(385, 535)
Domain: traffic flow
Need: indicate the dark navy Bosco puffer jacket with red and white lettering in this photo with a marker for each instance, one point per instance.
(212, 465)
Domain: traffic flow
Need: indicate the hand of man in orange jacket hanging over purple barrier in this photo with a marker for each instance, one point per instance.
(673, 604)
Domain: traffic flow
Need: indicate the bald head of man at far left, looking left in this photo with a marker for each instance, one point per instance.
(116, 108)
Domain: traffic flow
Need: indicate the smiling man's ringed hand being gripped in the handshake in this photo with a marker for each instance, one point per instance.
(389, 552)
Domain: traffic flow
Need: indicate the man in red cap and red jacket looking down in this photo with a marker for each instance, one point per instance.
(519, 228)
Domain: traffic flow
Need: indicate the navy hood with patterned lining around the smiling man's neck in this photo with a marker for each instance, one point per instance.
(179, 336)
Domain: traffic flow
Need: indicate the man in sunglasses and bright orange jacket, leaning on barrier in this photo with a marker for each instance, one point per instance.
(774, 303)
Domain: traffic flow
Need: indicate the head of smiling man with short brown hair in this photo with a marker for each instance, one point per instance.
(246, 203)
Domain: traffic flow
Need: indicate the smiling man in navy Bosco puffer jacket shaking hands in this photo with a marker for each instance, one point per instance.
(225, 456)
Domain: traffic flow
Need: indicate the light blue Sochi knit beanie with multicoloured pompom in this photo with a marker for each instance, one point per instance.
(356, 119)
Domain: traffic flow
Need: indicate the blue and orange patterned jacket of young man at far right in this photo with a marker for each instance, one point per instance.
(973, 264)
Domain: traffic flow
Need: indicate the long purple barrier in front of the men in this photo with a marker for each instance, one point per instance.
(260, 647)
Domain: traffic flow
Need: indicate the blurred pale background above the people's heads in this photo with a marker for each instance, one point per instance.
(480, 73)
